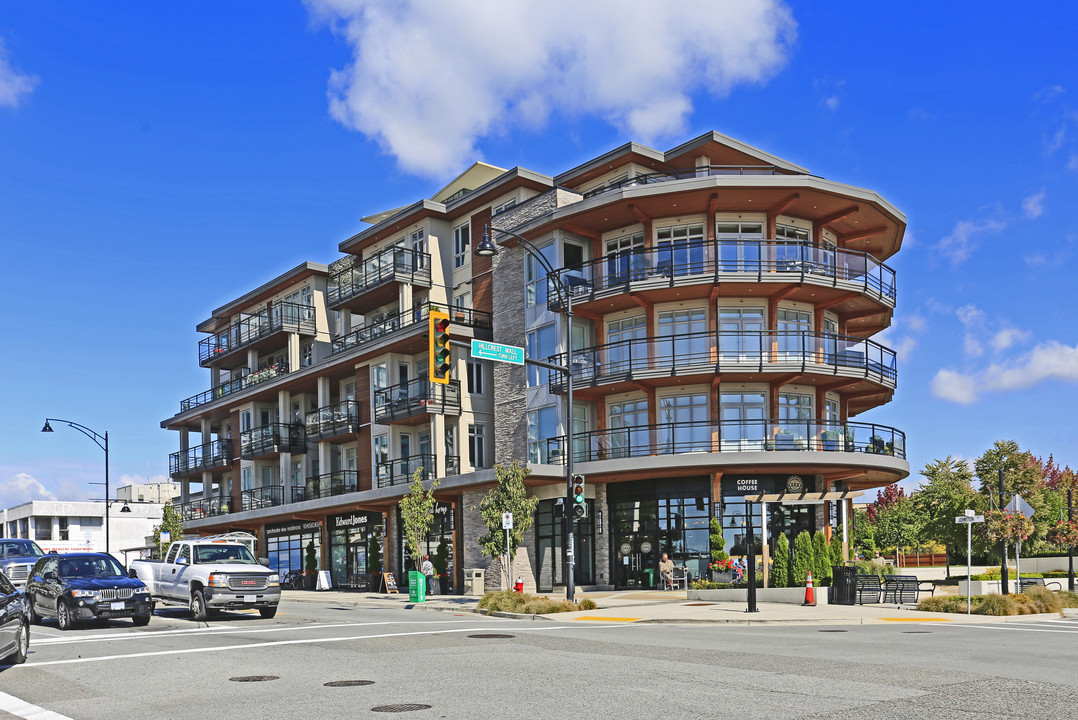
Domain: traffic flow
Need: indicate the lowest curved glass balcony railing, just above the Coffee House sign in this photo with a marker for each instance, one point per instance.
(731, 437)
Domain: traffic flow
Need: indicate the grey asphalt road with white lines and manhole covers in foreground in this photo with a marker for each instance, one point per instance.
(176, 668)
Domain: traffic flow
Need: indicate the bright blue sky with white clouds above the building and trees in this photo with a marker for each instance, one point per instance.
(158, 161)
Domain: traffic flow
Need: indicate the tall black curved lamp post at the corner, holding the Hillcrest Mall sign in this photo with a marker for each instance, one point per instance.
(487, 248)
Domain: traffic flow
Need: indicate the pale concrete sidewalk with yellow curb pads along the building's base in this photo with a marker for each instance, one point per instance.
(671, 607)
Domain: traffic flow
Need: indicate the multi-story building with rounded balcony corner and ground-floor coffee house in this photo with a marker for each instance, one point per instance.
(724, 307)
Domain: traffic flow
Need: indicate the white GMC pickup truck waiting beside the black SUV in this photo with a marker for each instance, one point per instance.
(211, 574)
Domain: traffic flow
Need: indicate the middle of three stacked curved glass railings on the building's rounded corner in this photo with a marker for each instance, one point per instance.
(730, 352)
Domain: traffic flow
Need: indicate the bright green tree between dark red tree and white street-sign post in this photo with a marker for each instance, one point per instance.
(948, 494)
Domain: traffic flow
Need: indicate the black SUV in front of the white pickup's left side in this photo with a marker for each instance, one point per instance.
(75, 587)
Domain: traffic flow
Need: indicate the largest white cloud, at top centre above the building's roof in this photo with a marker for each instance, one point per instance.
(429, 80)
